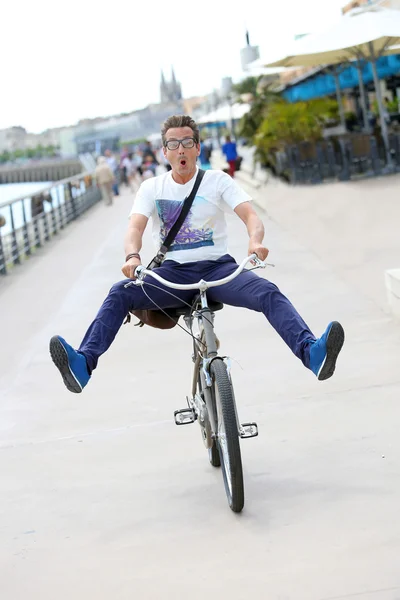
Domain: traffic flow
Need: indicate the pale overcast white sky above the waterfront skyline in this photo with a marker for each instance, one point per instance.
(63, 61)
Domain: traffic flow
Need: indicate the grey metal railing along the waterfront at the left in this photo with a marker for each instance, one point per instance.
(28, 222)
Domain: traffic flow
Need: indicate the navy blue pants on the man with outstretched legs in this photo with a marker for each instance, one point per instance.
(248, 290)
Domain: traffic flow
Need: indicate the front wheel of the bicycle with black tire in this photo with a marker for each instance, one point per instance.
(228, 436)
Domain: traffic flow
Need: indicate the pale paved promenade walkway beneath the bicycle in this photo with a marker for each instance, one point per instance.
(102, 496)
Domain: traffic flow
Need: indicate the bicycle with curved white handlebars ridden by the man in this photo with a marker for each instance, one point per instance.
(212, 401)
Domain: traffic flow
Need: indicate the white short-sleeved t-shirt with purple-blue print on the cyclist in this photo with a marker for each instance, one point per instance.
(203, 235)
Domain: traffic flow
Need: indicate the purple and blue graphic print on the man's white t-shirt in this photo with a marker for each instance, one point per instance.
(195, 231)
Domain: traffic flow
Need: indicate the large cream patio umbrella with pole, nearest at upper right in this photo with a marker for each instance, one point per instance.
(359, 35)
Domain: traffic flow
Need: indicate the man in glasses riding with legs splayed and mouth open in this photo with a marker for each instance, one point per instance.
(199, 251)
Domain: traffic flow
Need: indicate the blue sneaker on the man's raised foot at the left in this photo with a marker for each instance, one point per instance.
(71, 364)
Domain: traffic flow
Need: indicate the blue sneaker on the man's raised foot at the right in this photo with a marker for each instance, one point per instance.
(325, 350)
